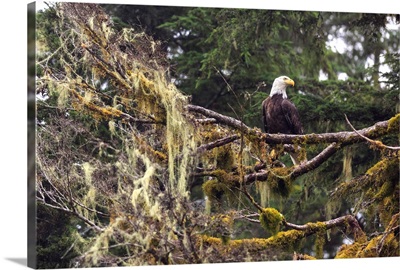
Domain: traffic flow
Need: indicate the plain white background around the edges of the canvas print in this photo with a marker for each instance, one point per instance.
(13, 128)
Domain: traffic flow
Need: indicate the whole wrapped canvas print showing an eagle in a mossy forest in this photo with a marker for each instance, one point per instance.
(167, 135)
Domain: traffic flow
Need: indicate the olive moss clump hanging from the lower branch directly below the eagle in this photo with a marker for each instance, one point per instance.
(280, 181)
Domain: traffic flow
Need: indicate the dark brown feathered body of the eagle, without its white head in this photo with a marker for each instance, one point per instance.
(280, 116)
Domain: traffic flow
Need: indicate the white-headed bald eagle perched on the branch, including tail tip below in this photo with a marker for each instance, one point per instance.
(279, 114)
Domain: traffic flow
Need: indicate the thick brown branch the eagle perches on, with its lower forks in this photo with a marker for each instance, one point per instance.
(337, 140)
